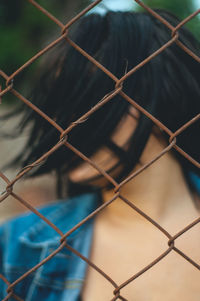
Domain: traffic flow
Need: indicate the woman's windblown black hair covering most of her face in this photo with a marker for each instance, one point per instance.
(168, 87)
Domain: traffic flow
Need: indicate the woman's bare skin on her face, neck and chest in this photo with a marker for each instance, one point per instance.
(124, 242)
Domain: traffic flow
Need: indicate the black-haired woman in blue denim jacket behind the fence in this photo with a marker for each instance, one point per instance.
(120, 139)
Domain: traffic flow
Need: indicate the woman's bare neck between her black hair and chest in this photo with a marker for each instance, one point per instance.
(156, 190)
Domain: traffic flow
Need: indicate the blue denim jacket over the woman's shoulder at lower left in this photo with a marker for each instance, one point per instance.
(27, 240)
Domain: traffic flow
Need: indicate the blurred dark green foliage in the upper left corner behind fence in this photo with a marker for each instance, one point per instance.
(24, 31)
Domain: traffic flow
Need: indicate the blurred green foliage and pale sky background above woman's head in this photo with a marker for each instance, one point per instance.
(24, 30)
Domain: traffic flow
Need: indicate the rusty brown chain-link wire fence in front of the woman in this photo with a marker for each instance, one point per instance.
(9, 79)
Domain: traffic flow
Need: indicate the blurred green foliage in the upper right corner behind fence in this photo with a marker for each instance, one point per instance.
(180, 8)
